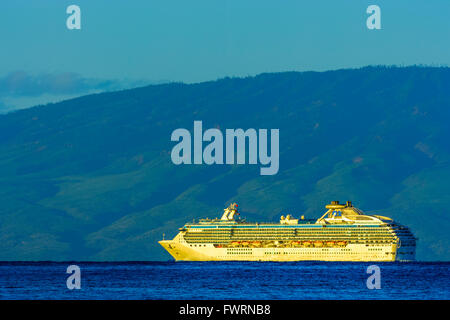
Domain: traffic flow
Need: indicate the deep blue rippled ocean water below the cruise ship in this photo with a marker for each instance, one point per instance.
(224, 280)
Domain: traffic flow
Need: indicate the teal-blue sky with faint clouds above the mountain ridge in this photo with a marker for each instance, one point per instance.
(127, 43)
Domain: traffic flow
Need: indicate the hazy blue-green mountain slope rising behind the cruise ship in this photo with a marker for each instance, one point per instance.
(92, 178)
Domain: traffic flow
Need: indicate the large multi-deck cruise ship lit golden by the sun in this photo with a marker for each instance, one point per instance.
(342, 233)
